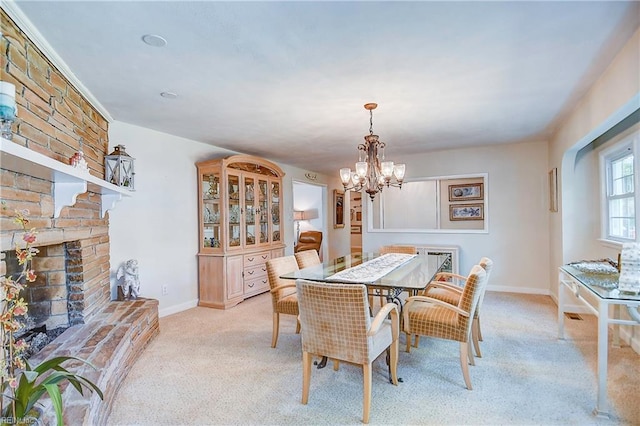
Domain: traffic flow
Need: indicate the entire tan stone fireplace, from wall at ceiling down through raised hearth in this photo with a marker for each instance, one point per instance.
(56, 120)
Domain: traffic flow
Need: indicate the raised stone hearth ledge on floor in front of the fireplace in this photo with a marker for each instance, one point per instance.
(112, 341)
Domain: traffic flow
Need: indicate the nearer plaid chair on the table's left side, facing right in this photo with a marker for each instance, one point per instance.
(283, 292)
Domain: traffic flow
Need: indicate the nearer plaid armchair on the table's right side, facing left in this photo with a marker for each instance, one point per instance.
(427, 316)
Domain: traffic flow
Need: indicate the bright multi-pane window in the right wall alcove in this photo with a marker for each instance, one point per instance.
(620, 196)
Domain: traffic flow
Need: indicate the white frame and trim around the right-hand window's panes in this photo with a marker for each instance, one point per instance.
(627, 145)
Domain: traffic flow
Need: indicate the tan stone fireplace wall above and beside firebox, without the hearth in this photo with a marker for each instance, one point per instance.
(55, 120)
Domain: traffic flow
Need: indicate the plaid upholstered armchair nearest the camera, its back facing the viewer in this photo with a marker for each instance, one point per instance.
(335, 323)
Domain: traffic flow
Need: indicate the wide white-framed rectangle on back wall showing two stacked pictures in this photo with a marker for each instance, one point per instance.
(432, 204)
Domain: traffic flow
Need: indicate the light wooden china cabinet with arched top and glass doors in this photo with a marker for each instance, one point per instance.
(240, 211)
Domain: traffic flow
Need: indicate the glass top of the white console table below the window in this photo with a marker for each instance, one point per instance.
(599, 276)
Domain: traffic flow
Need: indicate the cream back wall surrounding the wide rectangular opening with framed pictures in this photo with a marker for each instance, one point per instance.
(517, 211)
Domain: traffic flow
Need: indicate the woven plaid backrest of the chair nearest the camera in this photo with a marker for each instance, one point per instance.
(334, 320)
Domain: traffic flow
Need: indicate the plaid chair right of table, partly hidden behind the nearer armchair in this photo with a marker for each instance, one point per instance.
(445, 289)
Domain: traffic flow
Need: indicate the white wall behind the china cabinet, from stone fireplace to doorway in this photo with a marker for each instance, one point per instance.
(158, 225)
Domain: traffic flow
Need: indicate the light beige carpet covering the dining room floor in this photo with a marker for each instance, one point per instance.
(212, 367)
